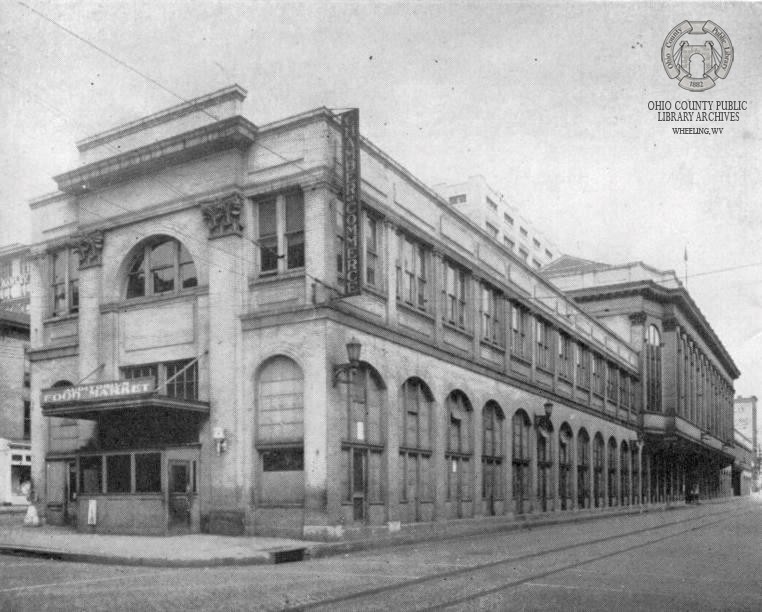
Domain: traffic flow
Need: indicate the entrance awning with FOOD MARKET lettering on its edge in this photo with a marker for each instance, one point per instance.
(99, 400)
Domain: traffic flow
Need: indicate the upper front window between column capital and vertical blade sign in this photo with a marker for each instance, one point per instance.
(281, 233)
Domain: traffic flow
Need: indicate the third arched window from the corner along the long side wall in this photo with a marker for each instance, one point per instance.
(459, 449)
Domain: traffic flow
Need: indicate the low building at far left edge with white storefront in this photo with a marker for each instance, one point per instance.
(15, 415)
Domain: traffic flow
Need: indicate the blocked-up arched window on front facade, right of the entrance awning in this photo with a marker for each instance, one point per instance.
(280, 431)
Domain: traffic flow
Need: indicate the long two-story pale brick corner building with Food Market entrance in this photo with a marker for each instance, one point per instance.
(193, 274)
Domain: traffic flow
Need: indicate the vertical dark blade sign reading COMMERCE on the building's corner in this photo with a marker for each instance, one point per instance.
(350, 139)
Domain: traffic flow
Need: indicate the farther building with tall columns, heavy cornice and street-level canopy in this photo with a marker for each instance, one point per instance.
(686, 373)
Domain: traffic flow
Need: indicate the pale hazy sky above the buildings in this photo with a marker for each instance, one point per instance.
(548, 101)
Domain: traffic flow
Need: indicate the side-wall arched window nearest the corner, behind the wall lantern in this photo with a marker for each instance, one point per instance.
(362, 445)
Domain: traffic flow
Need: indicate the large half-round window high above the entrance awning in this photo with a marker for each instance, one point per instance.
(161, 265)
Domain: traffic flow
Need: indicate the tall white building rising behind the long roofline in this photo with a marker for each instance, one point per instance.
(502, 219)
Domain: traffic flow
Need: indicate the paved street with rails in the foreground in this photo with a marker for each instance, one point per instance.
(703, 558)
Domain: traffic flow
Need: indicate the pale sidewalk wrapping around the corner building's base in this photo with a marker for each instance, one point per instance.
(203, 550)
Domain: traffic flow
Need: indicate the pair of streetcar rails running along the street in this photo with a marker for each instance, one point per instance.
(475, 568)
